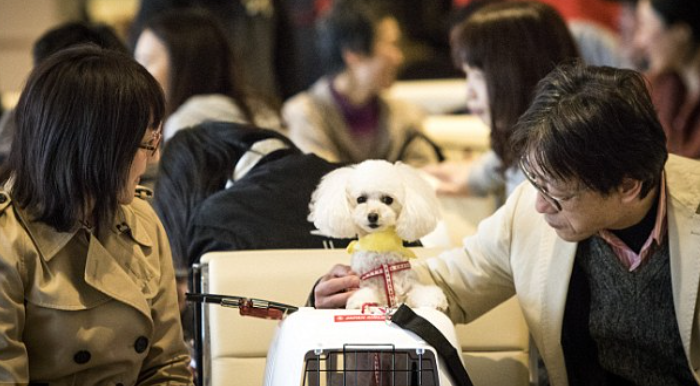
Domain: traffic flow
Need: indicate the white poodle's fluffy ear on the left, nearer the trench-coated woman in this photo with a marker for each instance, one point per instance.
(330, 208)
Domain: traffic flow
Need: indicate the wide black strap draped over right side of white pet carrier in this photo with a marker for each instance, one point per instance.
(405, 318)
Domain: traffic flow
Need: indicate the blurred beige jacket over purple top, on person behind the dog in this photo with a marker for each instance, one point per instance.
(316, 125)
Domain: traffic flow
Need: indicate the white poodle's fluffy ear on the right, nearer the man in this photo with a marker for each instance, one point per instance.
(420, 213)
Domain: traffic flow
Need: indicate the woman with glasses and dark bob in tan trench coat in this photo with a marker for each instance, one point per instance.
(87, 294)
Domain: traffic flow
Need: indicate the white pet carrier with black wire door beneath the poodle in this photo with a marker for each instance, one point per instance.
(351, 348)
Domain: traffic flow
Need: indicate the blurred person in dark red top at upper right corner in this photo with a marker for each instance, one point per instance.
(668, 33)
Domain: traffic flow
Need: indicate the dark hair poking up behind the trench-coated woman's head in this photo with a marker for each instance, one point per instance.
(70, 34)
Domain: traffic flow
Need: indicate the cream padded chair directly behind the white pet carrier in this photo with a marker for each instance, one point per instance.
(494, 347)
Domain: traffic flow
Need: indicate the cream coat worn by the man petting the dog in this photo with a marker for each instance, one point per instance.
(515, 252)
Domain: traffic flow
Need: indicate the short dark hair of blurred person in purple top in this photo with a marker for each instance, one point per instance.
(349, 25)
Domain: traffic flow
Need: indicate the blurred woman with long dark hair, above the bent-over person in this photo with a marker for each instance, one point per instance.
(189, 54)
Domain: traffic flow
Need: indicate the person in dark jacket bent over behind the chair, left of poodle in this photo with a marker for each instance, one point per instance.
(228, 186)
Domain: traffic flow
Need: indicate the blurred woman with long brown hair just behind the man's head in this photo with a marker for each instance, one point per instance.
(504, 49)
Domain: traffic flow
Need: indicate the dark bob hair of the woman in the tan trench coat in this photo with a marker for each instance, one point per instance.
(80, 120)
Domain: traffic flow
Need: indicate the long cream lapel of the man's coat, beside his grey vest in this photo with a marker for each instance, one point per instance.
(559, 256)
